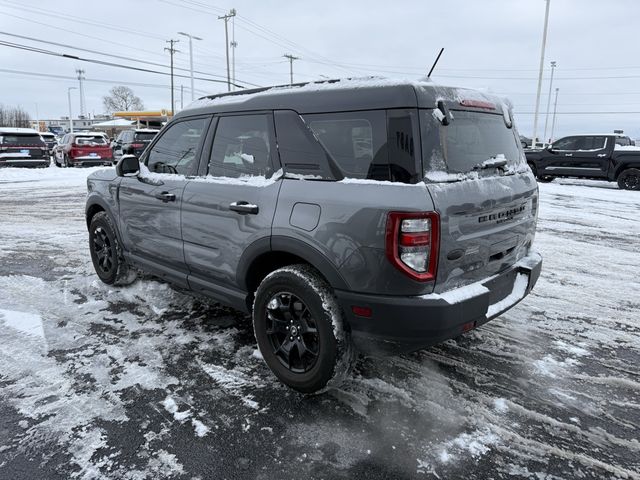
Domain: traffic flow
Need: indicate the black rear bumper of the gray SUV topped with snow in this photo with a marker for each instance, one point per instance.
(405, 324)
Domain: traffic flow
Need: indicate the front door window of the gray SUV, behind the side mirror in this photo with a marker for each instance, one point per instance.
(175, 151)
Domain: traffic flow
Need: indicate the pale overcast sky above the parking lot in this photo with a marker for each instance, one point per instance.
(489, 44)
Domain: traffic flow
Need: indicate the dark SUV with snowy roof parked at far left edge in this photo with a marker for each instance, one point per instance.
(22, 147)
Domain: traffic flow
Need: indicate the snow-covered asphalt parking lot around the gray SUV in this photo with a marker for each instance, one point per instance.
(146, 382)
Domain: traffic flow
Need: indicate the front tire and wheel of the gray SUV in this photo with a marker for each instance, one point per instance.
(106, 253)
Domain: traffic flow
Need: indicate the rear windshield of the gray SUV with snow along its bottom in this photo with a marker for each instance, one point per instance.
(470, 139)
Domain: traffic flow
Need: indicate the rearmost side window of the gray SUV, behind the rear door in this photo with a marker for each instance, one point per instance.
(356, 141)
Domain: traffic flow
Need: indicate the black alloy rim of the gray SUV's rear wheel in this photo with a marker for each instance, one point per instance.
(292, 332)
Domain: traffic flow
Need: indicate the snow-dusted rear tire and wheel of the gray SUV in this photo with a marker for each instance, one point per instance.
(295, 302)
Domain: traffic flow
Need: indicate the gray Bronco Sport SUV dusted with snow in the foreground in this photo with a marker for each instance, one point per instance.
(384, 215)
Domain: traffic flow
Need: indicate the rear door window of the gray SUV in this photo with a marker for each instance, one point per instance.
(241, 146)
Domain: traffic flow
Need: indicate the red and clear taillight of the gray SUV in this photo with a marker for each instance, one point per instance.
(412, 241)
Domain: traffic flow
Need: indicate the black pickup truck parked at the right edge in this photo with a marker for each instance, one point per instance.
(604, 156)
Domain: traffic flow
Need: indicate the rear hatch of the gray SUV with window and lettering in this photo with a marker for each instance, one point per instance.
(480, 184)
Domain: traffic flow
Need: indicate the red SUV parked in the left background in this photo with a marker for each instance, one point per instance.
(83, 149)
